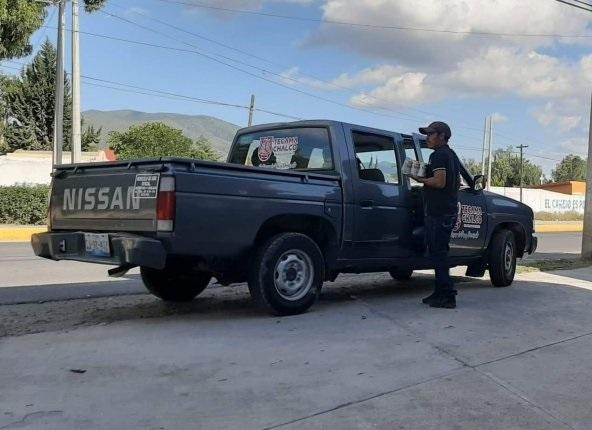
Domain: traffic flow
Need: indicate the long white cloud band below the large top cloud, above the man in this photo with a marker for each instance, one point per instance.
(498, 72)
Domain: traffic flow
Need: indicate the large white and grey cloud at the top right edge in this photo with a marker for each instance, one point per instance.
(443, 50)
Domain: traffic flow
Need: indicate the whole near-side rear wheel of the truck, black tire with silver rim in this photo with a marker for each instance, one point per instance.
(287, 274)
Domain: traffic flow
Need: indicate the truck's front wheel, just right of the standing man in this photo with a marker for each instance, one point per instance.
(502, 258)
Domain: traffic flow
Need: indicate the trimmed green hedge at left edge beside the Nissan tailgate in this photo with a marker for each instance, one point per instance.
(22, 204)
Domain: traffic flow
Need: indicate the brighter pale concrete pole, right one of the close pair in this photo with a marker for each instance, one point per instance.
(75, 141)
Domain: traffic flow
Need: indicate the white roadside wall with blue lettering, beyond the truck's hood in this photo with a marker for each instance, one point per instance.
(544, 201)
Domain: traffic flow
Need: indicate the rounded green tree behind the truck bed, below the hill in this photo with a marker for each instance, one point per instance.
(155, 139)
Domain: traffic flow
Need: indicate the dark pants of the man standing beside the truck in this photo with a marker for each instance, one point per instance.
(438, 230)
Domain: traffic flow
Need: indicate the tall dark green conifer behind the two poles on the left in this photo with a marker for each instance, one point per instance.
(29, 105)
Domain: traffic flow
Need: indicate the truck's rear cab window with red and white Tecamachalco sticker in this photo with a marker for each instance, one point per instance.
(286, 149)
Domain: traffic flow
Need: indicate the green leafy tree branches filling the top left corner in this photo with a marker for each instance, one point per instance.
(19, 19)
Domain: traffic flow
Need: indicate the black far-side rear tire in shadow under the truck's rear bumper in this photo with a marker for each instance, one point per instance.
(175, 283)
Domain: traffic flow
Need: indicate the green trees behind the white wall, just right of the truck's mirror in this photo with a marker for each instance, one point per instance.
(505, 170)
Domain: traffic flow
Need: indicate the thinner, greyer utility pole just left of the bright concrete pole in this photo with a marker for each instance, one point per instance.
(58, 129)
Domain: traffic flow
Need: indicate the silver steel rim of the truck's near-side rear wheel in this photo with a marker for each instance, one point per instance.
(293, 275)
